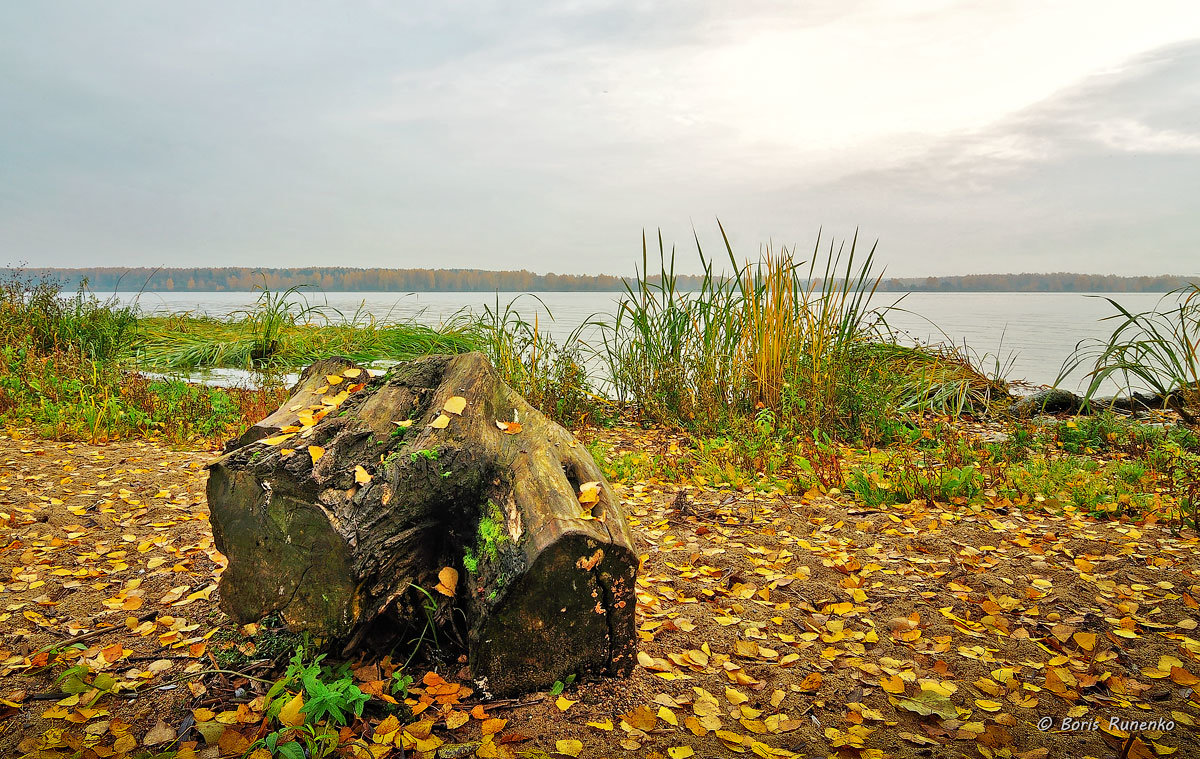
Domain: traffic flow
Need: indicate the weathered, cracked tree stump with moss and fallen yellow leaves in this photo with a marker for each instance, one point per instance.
(343, 509)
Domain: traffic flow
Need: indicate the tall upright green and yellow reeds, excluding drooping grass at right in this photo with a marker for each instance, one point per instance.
(770, 334)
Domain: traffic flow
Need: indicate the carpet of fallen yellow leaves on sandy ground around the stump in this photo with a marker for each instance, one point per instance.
(771, 625)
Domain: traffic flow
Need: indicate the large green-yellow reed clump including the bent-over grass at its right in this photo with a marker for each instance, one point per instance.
(800, 339)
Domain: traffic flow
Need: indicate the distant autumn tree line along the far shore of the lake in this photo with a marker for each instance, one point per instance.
(345, 279)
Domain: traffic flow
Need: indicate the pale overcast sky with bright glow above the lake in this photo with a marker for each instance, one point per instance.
(967, 138)
